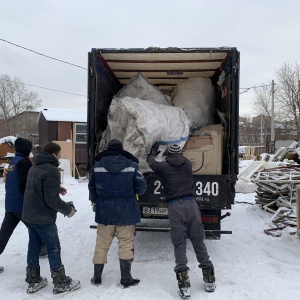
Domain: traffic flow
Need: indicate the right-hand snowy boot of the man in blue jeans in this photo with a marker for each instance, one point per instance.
(63, 283)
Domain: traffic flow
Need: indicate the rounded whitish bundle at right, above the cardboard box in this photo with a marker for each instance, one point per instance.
(196, 97)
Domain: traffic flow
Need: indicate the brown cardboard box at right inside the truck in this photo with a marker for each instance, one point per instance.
(207, 159)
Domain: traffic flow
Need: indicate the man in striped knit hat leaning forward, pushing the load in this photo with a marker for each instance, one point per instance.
(184, 216)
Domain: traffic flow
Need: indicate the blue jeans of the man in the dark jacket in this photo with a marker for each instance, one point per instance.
(48, 233)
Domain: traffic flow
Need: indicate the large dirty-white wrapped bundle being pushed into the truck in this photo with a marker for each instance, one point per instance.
(138, 124)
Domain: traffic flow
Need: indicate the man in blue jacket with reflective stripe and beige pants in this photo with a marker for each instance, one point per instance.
(114, 183)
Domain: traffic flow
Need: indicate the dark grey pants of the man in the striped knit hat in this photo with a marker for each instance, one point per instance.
(185, 220)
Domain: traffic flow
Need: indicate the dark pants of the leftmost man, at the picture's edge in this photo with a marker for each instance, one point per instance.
(10, 222)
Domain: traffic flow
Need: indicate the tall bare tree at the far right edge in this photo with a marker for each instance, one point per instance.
(287, 92)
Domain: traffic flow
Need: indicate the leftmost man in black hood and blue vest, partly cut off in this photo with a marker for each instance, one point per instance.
(14, 192)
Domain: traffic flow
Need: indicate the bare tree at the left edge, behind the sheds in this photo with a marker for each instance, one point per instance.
(15, 98)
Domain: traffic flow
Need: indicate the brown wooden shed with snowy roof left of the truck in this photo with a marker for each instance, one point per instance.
(65, 125)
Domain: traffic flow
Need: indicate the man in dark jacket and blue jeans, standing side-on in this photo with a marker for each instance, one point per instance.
(41, 205)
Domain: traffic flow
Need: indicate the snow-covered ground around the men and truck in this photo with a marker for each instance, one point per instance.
(249, 264)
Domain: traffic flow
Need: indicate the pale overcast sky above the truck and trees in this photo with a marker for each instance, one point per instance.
(267, 34)
